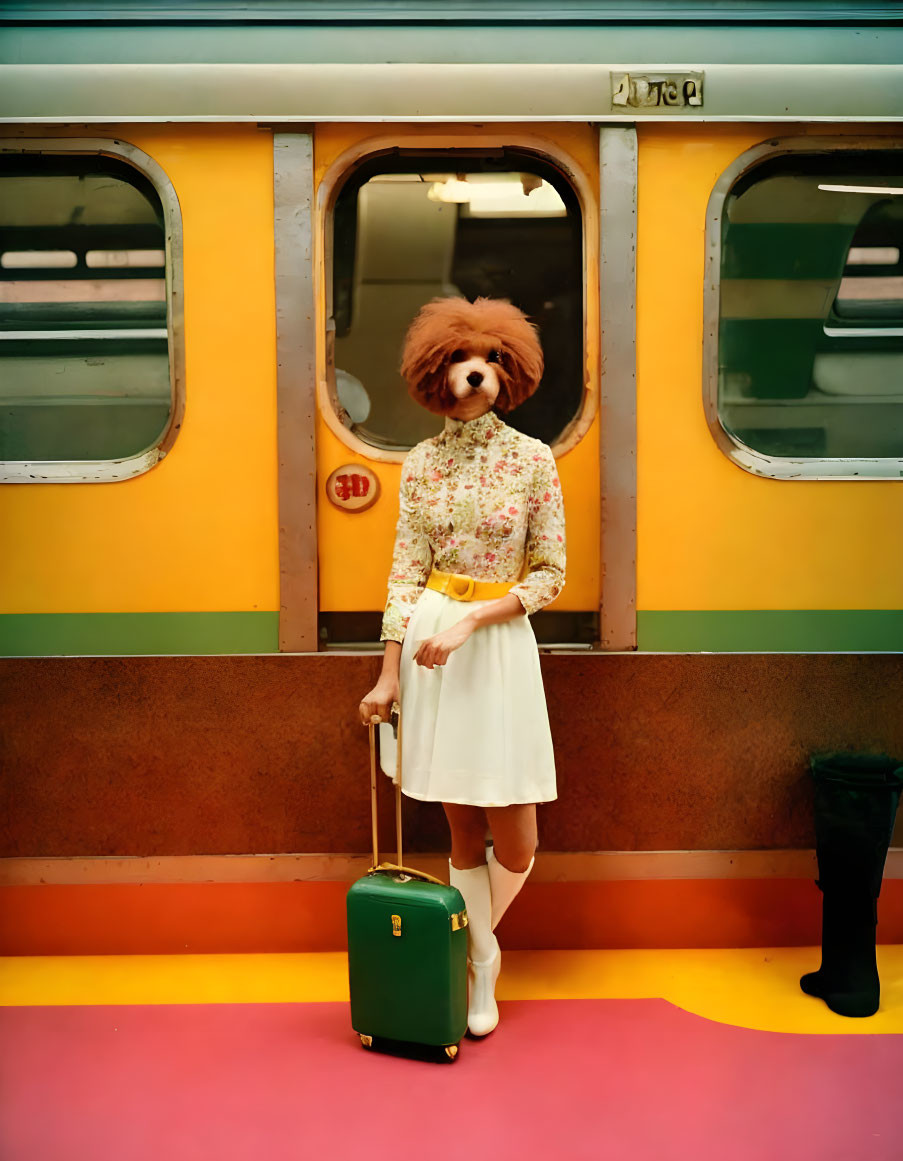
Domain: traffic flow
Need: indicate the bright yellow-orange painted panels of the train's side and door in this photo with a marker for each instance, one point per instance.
(200, 533)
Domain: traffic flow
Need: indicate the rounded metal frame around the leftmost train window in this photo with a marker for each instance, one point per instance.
(37, 472)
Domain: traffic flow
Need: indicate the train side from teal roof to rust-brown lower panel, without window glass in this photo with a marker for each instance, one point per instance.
(199, 589)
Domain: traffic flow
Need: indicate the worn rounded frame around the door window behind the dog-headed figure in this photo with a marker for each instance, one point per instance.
(457, 146)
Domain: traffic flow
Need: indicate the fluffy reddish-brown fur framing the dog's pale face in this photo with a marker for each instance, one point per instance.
(446, 326)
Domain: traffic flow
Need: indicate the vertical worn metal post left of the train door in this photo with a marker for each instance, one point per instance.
(297, 390)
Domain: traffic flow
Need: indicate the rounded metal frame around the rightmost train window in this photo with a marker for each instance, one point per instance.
(758, 464)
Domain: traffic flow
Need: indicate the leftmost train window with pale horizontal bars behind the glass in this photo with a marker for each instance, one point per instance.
(85, 350)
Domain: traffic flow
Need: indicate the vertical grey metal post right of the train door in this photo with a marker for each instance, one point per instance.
(618, 235)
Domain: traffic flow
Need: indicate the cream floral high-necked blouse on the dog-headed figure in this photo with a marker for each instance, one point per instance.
(483, 501)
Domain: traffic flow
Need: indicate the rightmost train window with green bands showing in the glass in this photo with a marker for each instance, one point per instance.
(811, 314)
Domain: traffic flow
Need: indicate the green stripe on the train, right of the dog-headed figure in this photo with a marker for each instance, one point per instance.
(772, 631)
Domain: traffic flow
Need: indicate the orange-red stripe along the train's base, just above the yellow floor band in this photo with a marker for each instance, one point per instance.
(223, 918)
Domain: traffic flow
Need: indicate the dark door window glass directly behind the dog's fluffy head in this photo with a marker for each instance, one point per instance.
(409, 229)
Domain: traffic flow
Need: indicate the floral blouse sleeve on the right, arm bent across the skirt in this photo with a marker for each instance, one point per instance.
(546, 547)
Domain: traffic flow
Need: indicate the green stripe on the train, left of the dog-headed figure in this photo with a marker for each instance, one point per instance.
(91, 634)
